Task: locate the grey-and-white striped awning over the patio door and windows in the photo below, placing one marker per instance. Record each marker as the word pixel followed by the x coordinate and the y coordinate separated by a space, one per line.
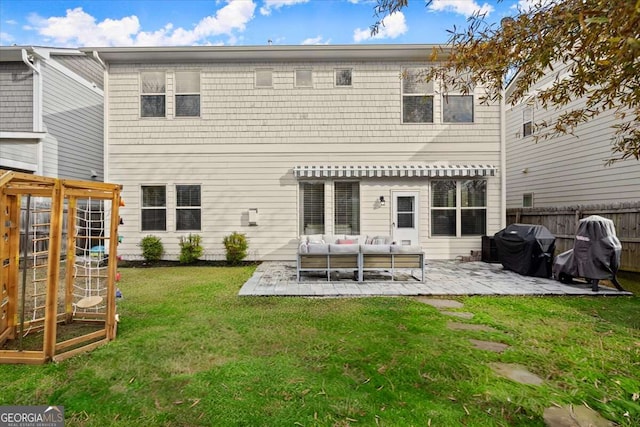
pixel 392 170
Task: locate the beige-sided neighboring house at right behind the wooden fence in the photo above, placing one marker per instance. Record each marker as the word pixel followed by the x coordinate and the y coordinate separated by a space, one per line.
pixel 567 170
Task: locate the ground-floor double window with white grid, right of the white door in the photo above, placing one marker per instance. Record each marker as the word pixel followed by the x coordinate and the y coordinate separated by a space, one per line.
pixel 458 208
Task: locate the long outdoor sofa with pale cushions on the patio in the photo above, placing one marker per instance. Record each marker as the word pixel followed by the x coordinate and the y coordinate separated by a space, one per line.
pixel 356 254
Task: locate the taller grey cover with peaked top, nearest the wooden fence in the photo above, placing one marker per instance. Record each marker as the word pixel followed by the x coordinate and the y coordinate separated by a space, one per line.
pixel 595 254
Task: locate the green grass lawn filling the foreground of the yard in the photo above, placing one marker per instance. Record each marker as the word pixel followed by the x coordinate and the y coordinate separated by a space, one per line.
pixel 191 352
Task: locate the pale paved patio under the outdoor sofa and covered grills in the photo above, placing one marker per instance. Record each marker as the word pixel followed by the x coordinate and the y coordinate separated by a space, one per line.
pixel 441 278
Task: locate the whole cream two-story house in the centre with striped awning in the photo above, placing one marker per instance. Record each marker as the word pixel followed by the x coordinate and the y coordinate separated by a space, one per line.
pixel 280 141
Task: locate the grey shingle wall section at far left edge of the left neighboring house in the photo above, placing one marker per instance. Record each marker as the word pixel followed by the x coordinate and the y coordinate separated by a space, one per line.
pixel 16 97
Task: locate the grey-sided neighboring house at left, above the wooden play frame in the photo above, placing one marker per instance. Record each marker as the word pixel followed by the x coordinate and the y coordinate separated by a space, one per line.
pixel 51 112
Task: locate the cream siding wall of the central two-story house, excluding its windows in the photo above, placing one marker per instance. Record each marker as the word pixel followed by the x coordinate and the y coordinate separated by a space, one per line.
pixel 243 148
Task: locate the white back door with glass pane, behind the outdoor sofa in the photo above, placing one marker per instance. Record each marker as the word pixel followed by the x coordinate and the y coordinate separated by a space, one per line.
pixel 405 226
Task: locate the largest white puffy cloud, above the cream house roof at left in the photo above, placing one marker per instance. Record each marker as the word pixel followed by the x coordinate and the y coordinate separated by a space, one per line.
pixel 78 28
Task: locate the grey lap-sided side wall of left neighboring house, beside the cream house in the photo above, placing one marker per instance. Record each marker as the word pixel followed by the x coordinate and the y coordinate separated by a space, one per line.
pixel 73 116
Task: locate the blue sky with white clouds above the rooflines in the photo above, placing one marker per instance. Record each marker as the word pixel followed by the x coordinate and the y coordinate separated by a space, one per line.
pixel 231 22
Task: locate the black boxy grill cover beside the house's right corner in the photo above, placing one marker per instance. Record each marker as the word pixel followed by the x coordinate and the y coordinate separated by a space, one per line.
pixel 526 249
